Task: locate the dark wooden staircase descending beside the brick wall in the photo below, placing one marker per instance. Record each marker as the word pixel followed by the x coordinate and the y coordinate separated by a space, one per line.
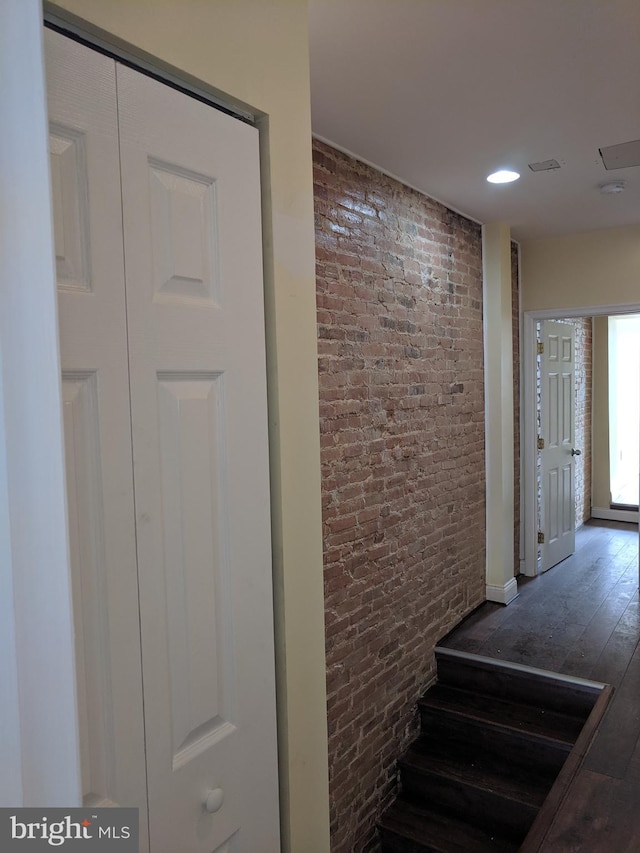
pixel 496 740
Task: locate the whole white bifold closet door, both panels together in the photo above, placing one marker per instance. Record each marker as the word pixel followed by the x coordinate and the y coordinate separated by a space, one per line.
pixel 166 452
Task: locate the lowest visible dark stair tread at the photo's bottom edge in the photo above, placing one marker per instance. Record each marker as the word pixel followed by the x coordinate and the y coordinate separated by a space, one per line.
pixel 433 831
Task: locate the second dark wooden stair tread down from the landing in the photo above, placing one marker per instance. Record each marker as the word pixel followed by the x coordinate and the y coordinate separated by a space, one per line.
pixel 478 768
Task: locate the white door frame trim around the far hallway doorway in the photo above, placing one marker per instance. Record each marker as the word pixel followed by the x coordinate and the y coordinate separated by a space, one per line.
pixel 529 567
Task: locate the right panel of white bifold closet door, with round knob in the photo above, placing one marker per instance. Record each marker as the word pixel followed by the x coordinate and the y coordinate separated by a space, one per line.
pixel 191 203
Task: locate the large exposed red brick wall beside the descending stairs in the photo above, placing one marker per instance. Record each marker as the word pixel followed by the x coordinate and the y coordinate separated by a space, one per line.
pixel 399 290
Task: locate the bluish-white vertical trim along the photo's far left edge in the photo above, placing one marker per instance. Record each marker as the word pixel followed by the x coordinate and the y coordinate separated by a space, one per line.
pixel 40 739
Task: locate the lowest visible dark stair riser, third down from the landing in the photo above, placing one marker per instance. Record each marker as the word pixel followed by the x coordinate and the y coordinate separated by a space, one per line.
pixel 481 807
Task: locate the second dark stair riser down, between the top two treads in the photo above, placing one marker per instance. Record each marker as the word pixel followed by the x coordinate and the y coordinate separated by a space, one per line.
pixel 530 750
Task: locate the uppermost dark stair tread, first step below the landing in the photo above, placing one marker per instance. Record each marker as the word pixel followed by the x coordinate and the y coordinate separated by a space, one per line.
pixel 505 713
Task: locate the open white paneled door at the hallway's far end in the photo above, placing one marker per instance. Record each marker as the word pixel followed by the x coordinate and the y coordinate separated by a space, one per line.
pixel 558 431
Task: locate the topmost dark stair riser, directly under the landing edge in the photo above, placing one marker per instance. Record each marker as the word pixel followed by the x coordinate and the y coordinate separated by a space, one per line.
pixel 518 687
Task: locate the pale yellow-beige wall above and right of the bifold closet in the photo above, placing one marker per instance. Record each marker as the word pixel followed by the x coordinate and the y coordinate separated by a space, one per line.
pixel 256 52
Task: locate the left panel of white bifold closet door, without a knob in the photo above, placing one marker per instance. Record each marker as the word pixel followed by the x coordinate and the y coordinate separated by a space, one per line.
pixel 87 208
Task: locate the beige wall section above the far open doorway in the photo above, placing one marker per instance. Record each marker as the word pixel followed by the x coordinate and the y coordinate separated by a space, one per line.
pixel 582 270
